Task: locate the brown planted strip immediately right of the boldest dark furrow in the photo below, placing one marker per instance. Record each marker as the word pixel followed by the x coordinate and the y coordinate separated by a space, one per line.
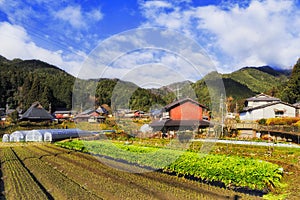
pixel 59 185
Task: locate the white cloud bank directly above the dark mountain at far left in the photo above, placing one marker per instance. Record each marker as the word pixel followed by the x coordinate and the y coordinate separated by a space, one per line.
pixel 15 43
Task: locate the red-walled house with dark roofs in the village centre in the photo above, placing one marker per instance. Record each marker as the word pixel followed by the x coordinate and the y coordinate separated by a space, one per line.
pixel 184 114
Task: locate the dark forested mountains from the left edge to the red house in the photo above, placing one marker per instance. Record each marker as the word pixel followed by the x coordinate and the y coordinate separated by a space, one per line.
pixel 24 82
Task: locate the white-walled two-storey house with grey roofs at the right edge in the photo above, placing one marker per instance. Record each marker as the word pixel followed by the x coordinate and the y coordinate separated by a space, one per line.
pixel 263 106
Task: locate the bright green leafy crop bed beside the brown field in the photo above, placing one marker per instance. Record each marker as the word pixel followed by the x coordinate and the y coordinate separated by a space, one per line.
pixel 232 171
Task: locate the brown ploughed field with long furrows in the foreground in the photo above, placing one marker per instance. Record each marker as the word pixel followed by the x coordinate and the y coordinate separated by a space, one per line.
pixel 46 171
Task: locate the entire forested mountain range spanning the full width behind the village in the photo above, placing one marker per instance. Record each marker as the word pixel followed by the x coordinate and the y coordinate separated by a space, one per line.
pixel 26 81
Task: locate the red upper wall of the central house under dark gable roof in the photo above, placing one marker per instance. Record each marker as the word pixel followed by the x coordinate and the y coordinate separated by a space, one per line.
pixel 186 111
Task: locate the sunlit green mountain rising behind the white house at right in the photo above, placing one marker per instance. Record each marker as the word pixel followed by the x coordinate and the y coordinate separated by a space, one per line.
pixel 242 84
